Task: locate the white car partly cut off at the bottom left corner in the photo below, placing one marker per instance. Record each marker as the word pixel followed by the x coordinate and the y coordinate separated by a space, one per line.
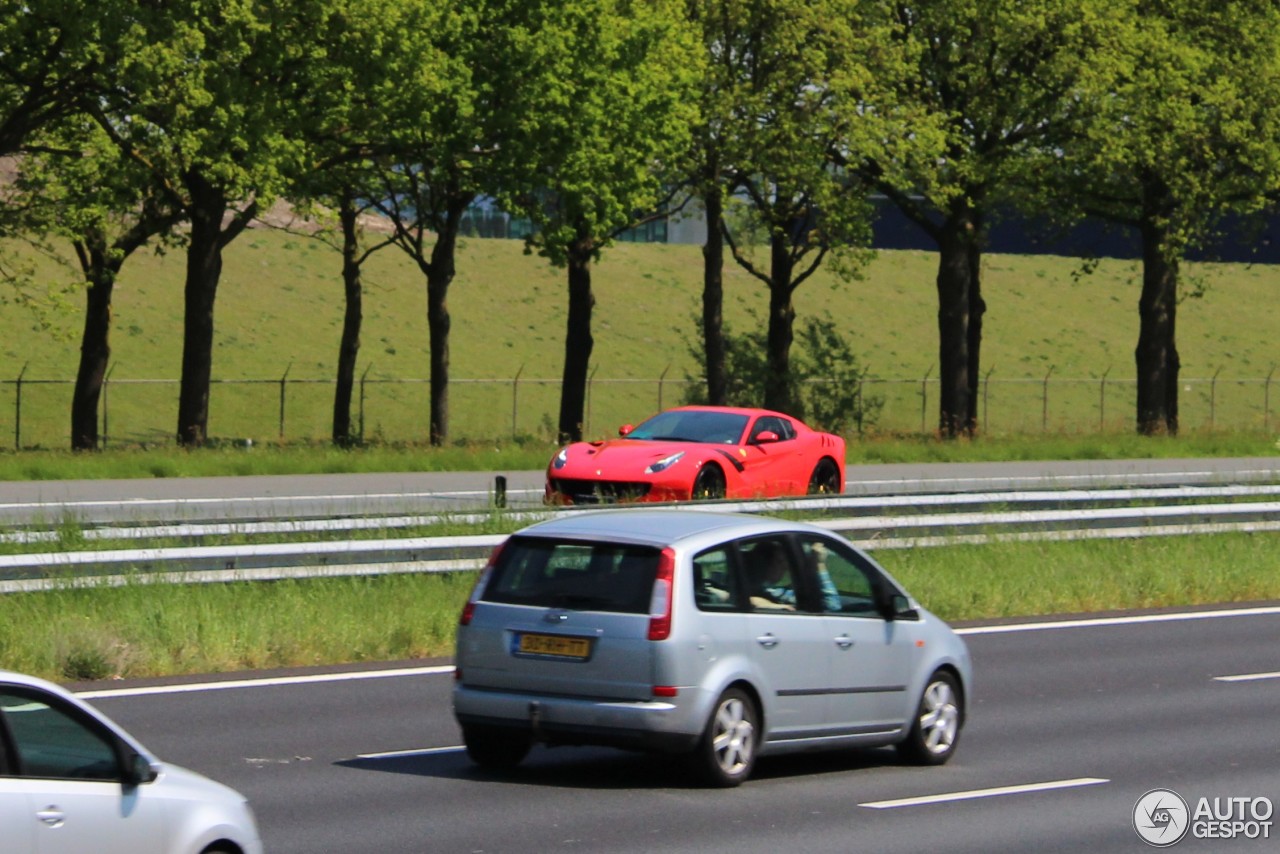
pixel 75 783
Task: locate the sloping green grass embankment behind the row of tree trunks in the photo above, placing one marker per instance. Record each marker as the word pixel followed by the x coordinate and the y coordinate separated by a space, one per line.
pixel 280 313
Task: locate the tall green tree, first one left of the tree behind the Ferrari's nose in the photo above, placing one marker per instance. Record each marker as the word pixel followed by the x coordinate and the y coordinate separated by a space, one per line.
pixel 438 135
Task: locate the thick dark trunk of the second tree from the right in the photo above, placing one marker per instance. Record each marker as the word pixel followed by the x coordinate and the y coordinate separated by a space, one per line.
pixel 954 363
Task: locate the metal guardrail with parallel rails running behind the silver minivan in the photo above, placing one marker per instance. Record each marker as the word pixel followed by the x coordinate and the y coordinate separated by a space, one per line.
pixel 968 519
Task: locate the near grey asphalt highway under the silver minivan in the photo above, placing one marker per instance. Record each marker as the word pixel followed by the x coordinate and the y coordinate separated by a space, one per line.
pixel 1072 725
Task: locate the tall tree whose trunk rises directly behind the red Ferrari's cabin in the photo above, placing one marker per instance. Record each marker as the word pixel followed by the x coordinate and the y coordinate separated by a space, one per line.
pixel 802 71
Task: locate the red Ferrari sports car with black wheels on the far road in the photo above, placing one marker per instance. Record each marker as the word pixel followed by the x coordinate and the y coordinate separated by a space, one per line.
pixel 701 453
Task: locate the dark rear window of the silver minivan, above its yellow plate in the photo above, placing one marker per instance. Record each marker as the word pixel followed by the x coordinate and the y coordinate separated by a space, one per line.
pixel 574 574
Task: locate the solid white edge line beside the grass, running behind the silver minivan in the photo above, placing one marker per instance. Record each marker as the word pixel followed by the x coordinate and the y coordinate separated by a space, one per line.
pixel 449 669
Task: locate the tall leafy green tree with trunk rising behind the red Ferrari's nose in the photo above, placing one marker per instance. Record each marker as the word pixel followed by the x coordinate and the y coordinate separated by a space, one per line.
pixel 607 101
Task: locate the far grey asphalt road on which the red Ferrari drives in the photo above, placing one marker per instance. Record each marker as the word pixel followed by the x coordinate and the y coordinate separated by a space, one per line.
pixel 326 496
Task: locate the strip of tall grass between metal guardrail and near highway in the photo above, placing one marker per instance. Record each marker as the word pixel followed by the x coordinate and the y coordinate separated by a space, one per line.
pixel 156 629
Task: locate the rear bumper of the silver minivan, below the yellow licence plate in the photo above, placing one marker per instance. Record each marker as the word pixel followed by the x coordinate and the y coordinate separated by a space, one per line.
pixel 652 725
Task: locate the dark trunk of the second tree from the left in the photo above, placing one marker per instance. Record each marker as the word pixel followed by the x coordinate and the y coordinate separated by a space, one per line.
pixel 204 271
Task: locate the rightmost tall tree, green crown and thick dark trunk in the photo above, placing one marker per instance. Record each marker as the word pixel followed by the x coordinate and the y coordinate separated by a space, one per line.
pixel 1186 131
